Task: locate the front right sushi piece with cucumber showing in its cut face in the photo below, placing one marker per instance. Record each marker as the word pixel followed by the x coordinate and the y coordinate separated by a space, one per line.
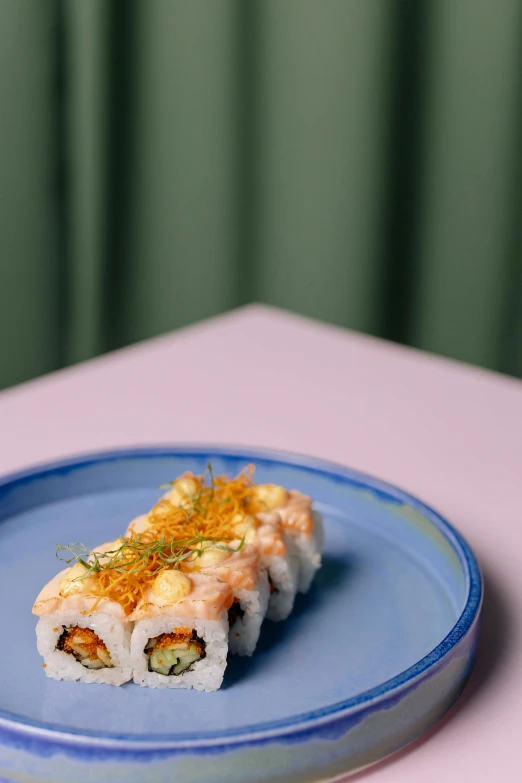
pixel 180 636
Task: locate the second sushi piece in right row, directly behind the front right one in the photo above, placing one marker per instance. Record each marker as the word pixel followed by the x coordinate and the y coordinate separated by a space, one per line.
pixel 241 570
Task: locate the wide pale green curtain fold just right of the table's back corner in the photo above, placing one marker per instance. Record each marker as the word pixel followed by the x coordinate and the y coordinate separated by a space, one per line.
pixel 321 119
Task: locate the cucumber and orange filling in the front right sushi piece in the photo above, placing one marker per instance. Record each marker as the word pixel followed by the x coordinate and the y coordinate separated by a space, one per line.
pixel 174 653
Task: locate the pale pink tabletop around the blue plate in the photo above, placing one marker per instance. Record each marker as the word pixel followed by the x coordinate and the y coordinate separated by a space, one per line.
pixel 450 433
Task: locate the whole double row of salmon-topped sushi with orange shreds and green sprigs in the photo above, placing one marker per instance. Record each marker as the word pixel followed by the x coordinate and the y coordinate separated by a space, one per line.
pixel 190 581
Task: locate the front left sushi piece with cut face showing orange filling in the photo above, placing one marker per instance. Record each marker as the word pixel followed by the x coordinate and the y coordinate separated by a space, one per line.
pixel 80 636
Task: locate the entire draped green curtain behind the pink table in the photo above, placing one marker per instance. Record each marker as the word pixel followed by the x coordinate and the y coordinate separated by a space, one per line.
pixel 161 161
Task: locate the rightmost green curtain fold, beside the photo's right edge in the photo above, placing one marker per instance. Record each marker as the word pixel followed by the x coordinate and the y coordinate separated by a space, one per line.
pixel 469 197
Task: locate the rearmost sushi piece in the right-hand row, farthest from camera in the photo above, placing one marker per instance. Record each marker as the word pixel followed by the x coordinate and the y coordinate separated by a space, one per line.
pixel 302 526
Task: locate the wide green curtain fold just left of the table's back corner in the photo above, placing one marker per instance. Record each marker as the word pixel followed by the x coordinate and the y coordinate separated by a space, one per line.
pixel 182 206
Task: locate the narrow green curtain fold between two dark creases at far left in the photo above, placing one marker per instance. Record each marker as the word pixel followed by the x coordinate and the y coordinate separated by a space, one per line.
pixel 87 60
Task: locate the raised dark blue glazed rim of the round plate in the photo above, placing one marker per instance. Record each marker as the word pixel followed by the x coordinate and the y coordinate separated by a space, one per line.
pixel 20 727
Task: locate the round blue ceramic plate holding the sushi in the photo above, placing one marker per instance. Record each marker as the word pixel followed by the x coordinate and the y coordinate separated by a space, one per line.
pixel 378 650
